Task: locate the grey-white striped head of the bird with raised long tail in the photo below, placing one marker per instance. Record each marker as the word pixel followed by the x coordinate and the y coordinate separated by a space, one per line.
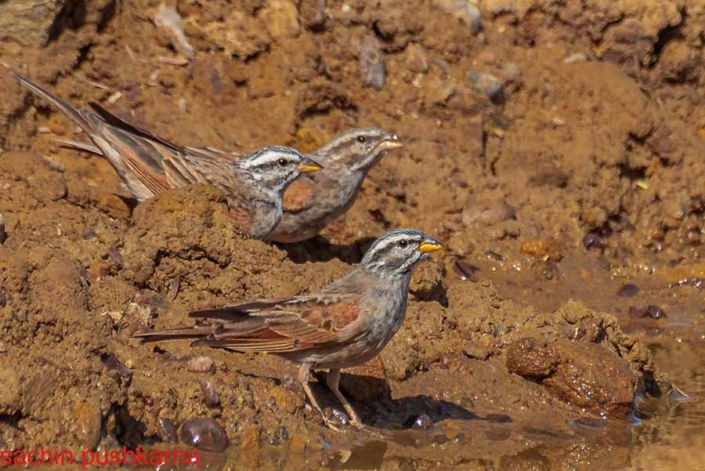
pixel 273 168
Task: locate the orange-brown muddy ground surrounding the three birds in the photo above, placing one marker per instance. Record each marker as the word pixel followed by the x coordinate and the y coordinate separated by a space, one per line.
pixel 583 174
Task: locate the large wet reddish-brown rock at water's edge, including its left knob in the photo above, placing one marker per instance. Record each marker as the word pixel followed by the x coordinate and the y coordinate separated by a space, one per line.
pixel 583 374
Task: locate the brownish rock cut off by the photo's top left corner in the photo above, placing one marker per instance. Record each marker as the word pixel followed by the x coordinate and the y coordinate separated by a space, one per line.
pixel 30 22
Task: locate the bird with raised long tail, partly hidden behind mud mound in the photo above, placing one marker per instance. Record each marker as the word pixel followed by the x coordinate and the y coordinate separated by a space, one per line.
pixel 149 165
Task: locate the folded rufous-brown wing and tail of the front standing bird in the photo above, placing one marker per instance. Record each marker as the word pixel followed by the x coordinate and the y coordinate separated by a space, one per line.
pixel 274 326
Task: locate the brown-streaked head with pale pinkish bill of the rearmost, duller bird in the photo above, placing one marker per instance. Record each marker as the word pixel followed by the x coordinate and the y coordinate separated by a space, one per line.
pixel 357 149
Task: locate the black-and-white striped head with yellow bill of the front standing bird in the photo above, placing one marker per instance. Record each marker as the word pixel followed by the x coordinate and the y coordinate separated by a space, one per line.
pixel 398 252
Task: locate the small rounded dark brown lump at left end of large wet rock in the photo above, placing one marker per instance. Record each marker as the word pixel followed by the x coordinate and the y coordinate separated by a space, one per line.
pixel 531 358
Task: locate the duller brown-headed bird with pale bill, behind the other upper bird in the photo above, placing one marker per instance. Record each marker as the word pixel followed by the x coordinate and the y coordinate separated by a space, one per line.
pixel 314 201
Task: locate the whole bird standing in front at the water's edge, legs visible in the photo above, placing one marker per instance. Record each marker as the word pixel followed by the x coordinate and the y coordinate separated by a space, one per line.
pixel 345 324
